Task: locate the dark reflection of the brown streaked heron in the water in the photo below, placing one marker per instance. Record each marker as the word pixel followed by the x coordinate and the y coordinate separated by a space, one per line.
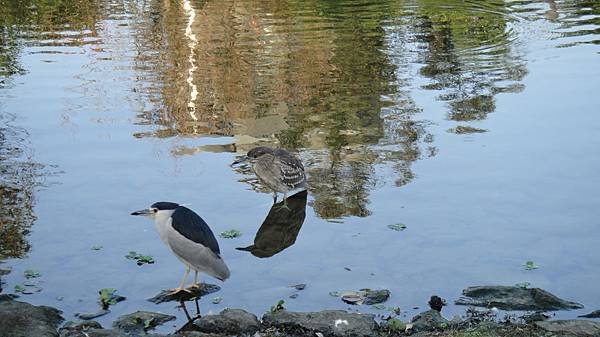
pixel 280 228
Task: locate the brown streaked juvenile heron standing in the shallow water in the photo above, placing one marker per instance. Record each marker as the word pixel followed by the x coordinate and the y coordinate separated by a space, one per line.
pixel 278 169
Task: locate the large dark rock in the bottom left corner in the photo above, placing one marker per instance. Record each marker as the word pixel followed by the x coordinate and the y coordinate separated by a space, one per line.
pixel 19 319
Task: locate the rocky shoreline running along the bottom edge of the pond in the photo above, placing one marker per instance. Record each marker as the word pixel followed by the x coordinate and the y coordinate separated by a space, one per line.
pixel 21 319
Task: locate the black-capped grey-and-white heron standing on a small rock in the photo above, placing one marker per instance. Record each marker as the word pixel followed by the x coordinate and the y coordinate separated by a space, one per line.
pixel 190 239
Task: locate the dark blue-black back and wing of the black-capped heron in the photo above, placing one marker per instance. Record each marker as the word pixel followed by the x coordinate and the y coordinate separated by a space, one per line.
pixel 191 225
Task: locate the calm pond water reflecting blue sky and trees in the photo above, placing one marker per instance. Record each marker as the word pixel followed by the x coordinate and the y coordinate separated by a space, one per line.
pixel 108 106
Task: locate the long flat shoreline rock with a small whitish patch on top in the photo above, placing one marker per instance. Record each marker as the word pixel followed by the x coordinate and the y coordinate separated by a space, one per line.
pixel 327 322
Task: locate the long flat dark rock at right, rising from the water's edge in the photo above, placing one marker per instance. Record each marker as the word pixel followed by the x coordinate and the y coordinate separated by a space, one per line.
pixel 514 298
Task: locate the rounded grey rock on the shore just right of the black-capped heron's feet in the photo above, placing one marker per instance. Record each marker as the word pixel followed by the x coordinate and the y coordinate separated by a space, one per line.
pixel 231 322
